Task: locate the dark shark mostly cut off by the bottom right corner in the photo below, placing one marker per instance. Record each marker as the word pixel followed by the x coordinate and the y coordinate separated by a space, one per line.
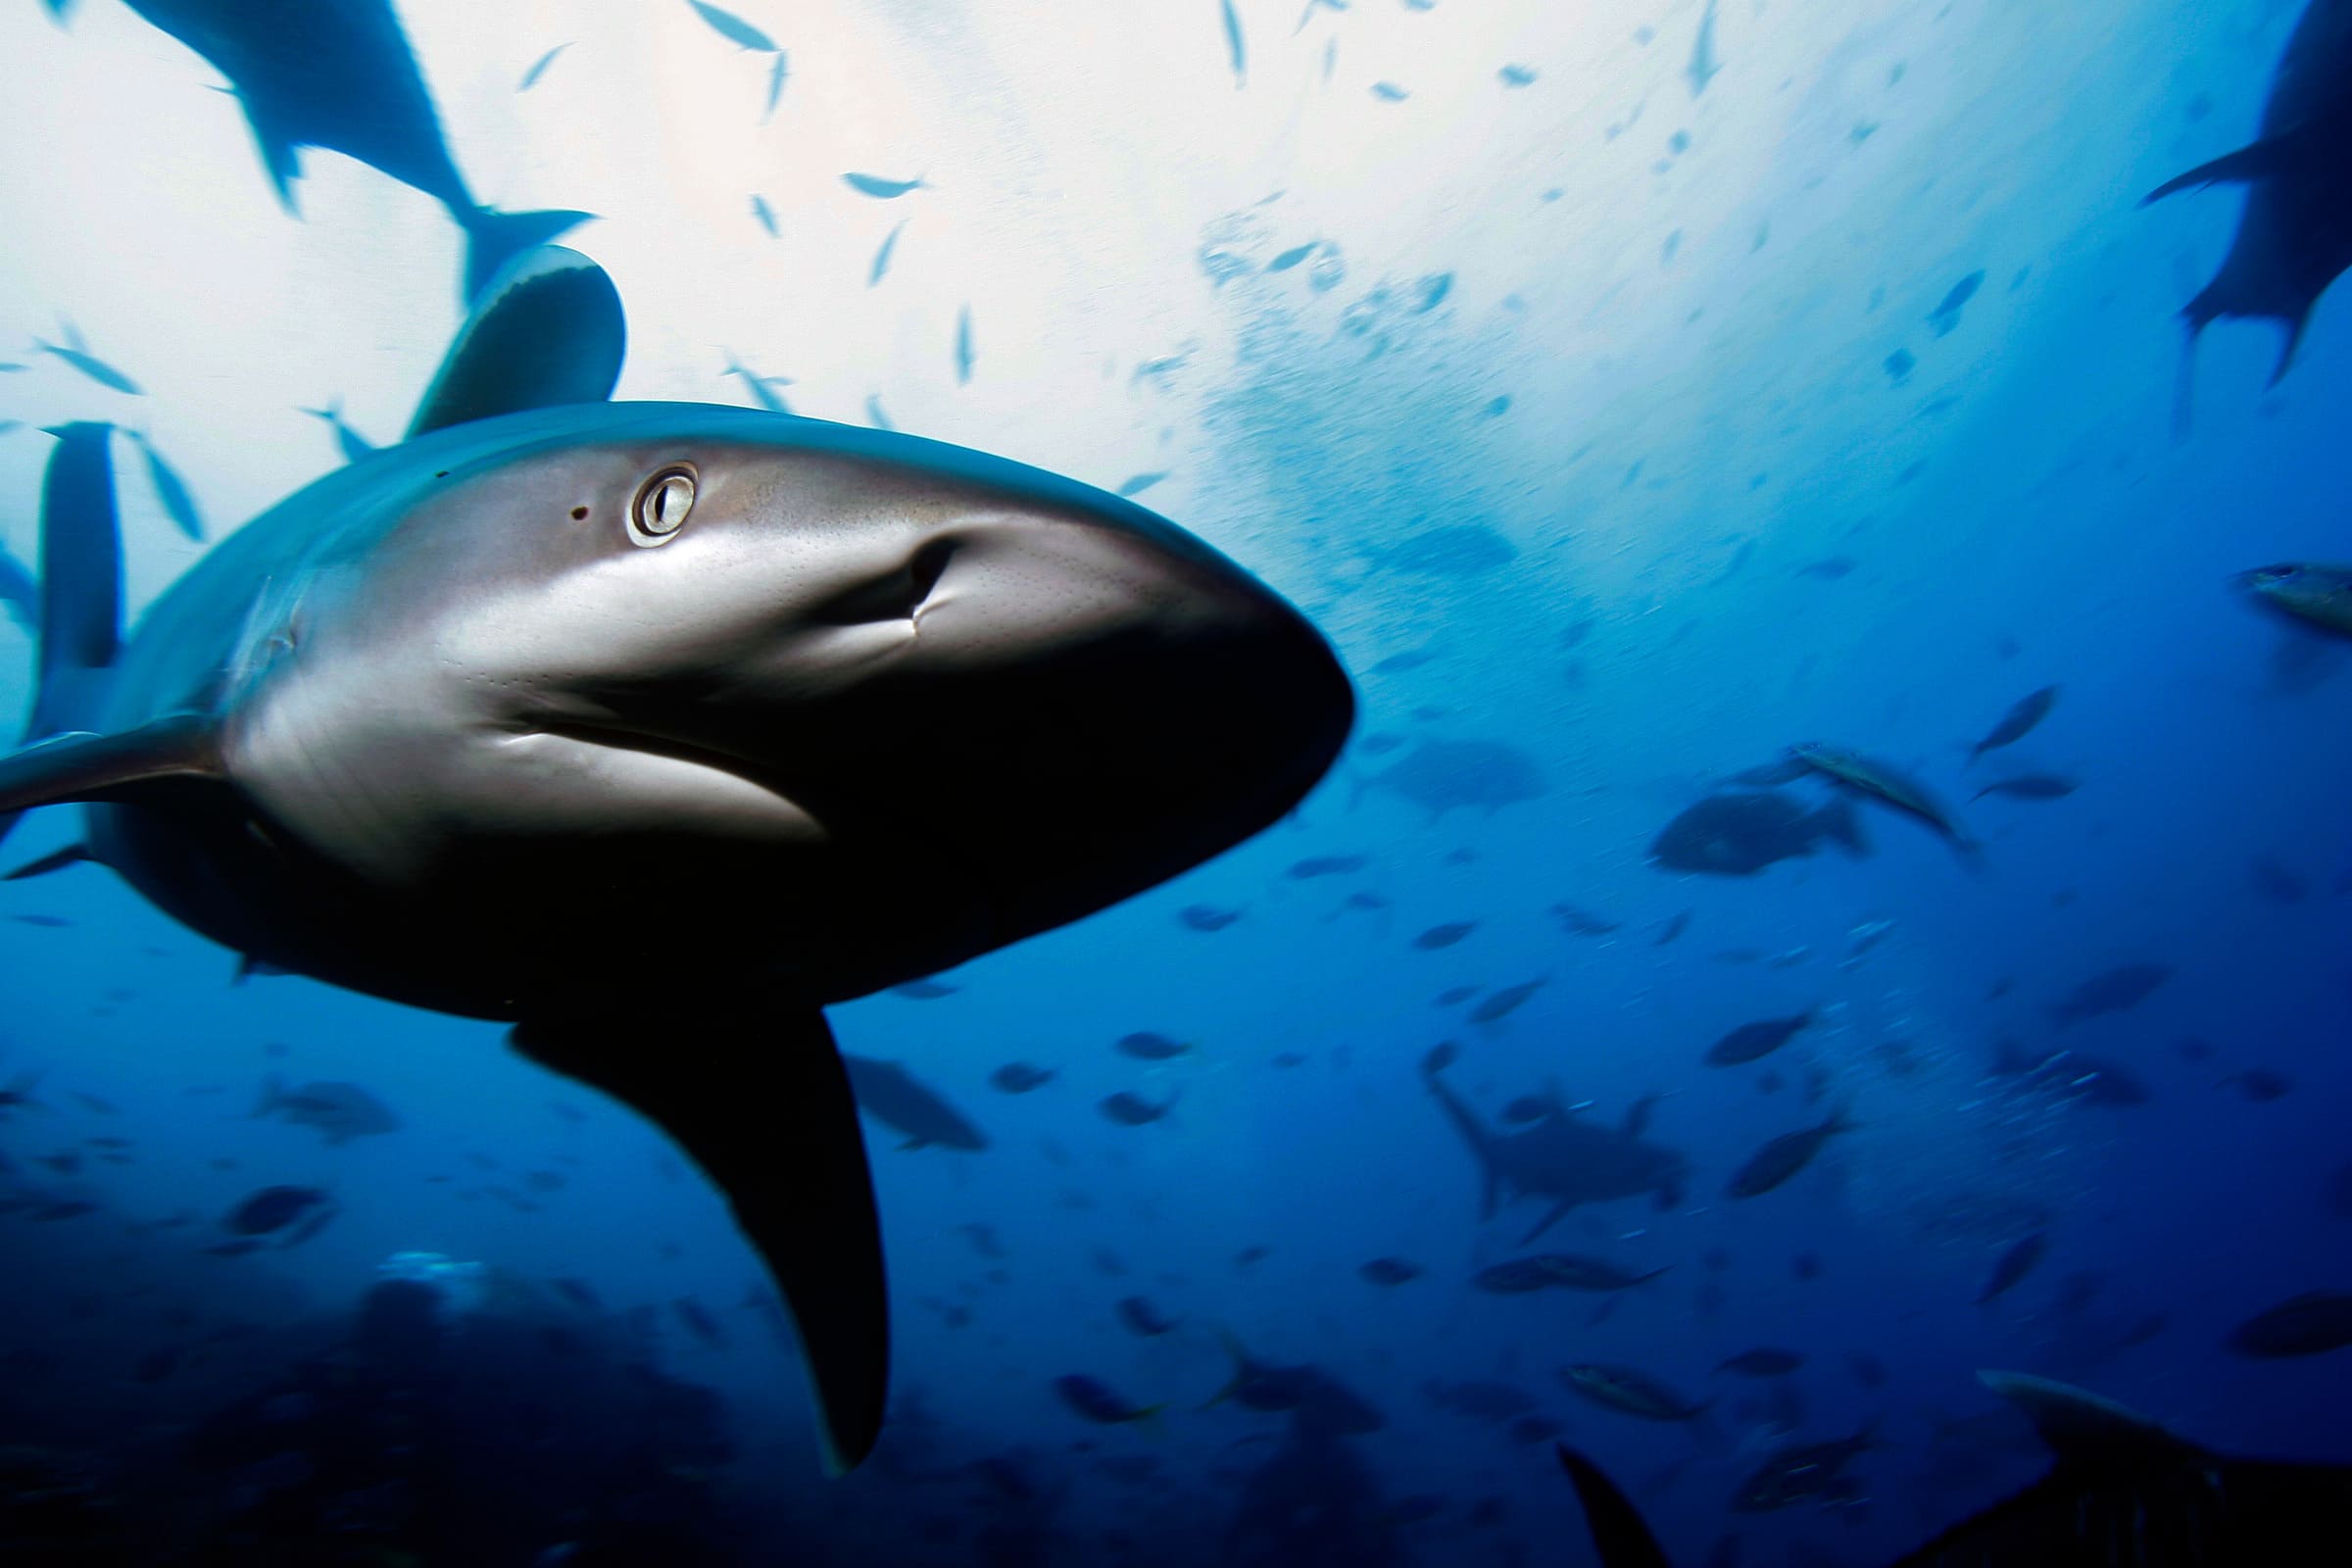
pixel 2123 1494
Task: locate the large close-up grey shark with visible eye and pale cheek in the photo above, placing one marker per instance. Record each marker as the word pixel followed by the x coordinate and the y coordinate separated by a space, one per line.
pixel 655 728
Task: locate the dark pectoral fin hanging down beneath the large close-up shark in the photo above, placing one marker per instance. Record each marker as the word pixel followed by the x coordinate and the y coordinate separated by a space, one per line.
pixel 789 1158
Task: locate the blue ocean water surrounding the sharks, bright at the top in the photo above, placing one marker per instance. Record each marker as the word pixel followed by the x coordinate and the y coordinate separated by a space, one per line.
pixel 1629 394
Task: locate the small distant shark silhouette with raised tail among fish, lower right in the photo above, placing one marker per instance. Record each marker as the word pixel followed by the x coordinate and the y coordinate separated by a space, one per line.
pixel 1565 1158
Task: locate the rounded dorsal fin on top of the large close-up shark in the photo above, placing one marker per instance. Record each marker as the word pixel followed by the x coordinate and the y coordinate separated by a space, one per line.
pixel 544 333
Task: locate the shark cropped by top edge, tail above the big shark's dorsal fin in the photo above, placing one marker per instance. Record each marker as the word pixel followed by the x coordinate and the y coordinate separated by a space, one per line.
pixel 342 76
